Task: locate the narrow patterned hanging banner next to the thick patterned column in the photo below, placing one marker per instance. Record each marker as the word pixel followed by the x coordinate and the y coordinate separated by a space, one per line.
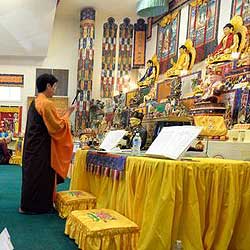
pixel 108 58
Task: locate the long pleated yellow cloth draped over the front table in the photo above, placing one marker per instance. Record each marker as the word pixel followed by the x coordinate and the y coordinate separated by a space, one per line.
pixel 203 202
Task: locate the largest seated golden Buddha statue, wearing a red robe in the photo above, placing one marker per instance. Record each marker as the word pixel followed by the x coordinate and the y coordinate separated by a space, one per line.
pixel 233 42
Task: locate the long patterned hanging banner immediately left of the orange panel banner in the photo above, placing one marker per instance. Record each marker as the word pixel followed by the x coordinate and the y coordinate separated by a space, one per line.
pixel 125 54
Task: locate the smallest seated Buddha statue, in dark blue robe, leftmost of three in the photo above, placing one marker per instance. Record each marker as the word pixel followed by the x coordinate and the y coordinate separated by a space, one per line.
pixel 151 74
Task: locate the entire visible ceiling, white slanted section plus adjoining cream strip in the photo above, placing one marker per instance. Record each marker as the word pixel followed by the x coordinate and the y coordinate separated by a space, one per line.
pixel 26 25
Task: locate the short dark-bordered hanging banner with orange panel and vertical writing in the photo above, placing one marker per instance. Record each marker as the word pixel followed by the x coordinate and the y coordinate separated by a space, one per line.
pixel 139 43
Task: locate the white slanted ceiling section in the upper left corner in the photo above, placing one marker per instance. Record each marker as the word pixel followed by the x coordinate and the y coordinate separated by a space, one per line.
pixel 25 27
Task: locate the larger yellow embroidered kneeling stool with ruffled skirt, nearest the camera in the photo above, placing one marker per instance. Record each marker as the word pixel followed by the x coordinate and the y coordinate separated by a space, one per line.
pixel 103 229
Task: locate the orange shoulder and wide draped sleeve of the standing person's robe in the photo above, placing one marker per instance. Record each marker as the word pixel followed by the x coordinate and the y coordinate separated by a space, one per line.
pixel 59 130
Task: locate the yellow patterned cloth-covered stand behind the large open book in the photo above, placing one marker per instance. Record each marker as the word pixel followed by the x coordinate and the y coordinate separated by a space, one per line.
pixel 211 125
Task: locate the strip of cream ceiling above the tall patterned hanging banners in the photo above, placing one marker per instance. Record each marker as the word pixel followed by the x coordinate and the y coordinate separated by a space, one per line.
pixel 109 7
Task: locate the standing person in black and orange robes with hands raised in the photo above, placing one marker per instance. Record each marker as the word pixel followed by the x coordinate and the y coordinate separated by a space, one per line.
pixel 47 149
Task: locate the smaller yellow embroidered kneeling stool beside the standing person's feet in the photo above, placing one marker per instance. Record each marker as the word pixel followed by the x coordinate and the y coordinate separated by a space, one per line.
pixel 68 201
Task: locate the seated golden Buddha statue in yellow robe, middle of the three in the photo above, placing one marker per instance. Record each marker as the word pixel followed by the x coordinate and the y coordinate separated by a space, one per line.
pixel 185 61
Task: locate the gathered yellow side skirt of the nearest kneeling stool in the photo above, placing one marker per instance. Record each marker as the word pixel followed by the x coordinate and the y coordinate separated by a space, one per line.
pixel 125 238
